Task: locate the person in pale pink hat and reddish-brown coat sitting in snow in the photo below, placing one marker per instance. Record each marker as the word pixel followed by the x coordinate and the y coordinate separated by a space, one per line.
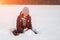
pixel 23 22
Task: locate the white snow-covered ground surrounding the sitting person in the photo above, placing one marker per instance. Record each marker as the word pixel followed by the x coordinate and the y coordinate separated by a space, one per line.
pixel 45 20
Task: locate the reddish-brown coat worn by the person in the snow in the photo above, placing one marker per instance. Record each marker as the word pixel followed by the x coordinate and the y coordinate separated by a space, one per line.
pixel 20 26
